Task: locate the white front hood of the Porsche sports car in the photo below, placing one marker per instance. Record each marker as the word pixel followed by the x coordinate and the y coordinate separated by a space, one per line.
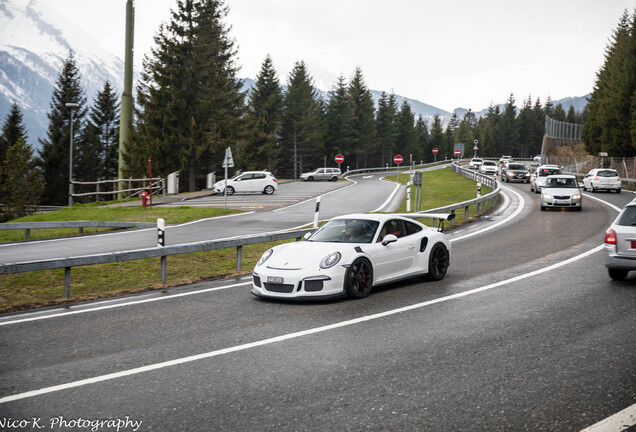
pixel 303 254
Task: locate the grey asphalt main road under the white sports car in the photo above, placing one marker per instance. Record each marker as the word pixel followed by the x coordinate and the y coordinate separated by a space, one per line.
pixel 526 333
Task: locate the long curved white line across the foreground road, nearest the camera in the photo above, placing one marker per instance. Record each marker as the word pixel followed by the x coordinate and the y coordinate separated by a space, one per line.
pixel 286 337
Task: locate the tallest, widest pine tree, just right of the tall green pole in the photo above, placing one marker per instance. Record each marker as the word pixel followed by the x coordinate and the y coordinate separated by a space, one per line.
pixel 189 100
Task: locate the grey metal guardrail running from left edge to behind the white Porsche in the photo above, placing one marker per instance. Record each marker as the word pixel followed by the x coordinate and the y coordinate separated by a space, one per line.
pixel 162 252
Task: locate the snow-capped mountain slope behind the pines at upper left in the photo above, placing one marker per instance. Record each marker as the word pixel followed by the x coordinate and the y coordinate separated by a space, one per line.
pixel 34 42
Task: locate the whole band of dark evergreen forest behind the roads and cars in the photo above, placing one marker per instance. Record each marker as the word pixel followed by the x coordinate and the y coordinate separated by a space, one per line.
pixel 189 108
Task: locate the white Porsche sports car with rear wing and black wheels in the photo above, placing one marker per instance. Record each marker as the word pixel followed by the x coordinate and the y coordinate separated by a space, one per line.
pixel 350 254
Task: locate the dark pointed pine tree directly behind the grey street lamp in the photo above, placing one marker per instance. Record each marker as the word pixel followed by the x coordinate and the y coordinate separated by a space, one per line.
pixel 54 152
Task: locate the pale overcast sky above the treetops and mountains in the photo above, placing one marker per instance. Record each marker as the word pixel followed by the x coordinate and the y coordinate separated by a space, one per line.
pixel 461 53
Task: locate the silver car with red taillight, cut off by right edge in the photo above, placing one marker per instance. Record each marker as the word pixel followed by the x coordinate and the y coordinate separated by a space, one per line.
pixel 620 243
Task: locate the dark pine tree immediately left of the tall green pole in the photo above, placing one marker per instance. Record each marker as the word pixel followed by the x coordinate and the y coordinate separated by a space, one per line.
pixel 98 157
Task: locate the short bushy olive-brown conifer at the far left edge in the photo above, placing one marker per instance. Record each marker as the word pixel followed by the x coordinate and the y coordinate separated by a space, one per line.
pixel 23 183
